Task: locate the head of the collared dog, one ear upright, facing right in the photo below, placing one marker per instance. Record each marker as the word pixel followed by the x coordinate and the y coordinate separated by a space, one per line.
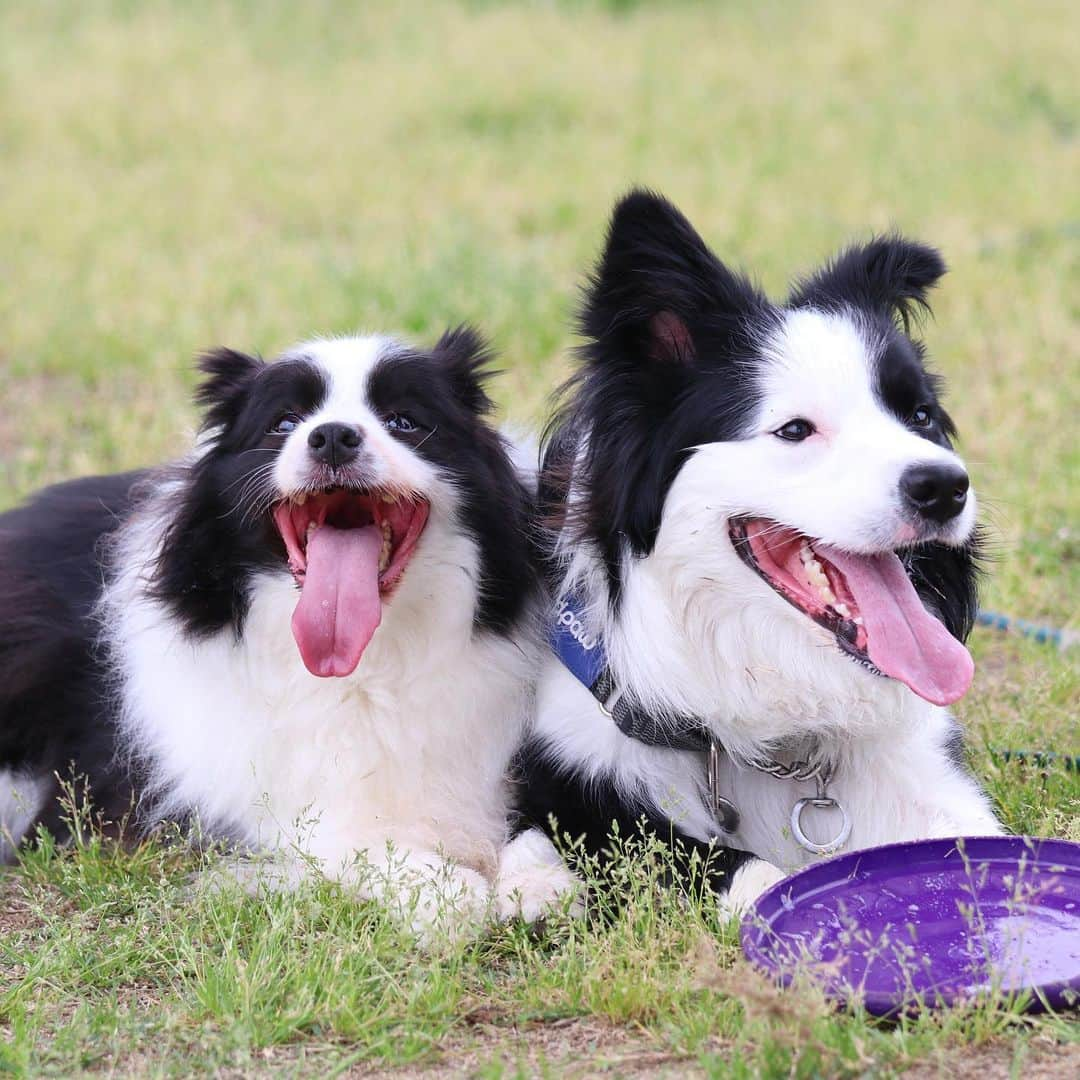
pixel 793 457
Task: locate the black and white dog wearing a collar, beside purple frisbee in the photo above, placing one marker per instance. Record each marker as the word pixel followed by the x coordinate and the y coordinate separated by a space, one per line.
pixel 764 561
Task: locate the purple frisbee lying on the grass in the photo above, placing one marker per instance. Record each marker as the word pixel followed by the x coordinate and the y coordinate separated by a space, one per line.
pixel 929 924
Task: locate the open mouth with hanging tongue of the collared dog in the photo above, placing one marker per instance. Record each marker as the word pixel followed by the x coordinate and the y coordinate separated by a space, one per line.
pixel 867 602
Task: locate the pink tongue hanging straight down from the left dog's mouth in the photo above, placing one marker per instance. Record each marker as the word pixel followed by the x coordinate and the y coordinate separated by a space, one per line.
pixel 340 606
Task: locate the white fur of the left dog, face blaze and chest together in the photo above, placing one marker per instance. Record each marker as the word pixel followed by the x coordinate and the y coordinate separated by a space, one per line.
pixel 397 769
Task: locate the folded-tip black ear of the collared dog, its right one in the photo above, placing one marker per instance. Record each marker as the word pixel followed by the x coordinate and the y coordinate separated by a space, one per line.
pixel 889 274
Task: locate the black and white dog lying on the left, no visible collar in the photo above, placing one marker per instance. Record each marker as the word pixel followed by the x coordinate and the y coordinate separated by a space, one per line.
pixel 314 636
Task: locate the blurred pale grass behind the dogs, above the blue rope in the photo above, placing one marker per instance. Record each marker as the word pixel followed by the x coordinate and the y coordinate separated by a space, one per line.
pixel 177 177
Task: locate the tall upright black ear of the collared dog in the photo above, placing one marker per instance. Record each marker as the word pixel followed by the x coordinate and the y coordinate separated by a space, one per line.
pixel 658 292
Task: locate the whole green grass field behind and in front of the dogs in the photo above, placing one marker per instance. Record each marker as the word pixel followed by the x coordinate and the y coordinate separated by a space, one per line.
pixel 180 177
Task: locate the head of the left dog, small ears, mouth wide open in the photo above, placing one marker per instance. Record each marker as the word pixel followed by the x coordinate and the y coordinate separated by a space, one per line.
pixel 352 464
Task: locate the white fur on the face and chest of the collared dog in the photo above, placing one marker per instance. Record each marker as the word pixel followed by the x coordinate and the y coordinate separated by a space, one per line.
pixel 699 633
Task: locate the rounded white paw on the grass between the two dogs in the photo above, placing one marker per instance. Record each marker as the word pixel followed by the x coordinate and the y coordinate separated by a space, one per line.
pixel 535 882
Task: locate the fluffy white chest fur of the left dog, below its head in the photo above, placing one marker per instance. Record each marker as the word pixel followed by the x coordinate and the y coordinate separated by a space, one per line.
pixel 411 751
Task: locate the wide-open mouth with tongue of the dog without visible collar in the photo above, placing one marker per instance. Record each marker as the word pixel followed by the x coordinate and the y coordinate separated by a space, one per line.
pixel 347 550
